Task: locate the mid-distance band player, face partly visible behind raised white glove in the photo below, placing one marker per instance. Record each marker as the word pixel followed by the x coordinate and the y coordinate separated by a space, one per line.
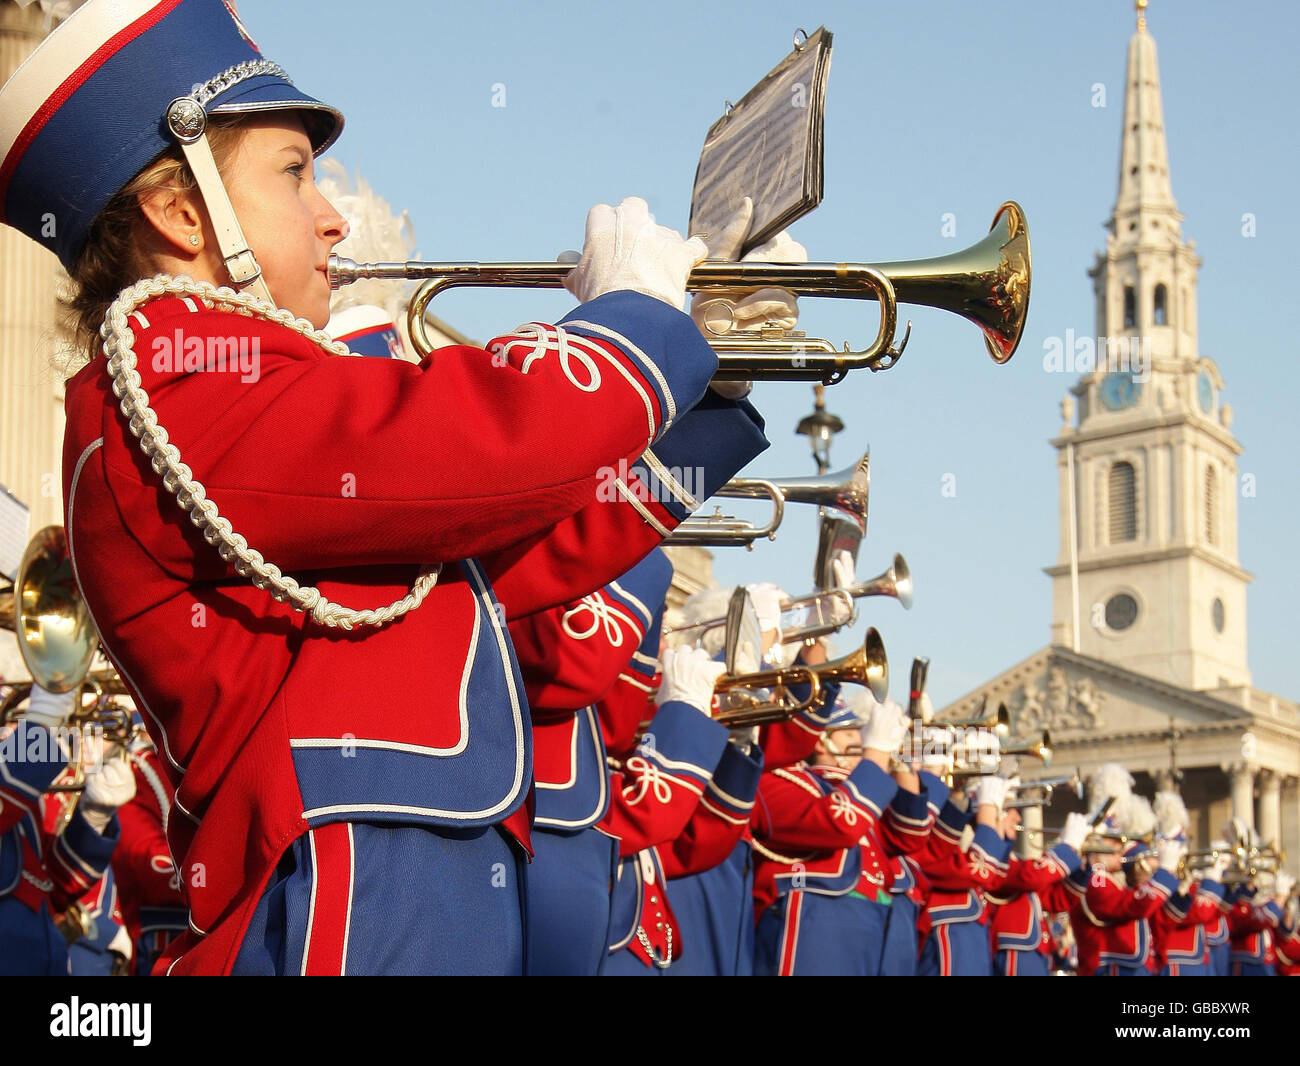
pixel 813 913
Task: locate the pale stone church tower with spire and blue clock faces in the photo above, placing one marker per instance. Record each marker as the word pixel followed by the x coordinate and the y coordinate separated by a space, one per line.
pixel 1149 575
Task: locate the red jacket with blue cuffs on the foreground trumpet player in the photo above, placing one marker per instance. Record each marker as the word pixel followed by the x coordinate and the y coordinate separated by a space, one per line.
pixel 513 471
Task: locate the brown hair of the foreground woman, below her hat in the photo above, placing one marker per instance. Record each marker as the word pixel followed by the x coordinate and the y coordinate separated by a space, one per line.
pixel 112 258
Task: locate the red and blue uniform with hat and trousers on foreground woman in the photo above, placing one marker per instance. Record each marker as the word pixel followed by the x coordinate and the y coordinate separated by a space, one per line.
pixel 331 769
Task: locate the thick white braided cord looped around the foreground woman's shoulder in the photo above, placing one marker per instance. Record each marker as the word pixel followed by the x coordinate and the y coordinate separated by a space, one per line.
pixel 177 478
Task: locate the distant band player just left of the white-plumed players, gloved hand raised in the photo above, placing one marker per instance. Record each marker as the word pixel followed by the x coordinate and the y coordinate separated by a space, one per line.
pixel 1022 942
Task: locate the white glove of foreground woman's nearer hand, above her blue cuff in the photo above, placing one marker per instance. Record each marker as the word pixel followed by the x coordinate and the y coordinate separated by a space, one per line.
pixel 625 249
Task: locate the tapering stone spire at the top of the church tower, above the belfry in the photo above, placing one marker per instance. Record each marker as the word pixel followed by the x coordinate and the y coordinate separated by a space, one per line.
pixel 1145 187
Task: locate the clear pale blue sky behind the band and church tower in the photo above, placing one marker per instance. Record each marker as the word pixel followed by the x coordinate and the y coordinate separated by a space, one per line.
pixel 933 109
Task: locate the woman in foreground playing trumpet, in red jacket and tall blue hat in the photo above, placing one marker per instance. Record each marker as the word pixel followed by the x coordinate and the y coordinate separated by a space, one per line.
pixel 300 562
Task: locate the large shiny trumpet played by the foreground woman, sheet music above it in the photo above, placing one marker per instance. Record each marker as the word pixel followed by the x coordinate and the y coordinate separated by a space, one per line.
pixel 987 284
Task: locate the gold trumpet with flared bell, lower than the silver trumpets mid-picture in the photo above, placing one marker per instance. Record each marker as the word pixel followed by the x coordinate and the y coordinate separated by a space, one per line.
pixel 868 666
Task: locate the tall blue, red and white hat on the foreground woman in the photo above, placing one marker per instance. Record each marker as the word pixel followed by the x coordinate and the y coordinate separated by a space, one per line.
pixel 89 110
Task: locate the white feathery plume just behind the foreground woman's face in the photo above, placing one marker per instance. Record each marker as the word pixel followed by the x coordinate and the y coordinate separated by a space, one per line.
pixel 378 235
